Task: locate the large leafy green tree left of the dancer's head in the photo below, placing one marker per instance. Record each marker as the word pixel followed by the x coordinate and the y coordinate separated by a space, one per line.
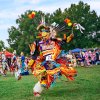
pixel 19 38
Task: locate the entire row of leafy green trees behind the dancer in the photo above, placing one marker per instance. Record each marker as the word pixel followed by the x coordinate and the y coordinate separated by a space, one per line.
pixel 26 32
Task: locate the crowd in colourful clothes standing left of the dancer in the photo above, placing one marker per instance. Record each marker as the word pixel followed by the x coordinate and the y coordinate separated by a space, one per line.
pixel 13 64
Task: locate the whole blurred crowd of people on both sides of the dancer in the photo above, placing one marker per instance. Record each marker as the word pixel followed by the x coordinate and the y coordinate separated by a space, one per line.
pixel 20 63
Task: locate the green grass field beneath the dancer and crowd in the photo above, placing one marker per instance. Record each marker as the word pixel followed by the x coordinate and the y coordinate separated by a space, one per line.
pixel 85 87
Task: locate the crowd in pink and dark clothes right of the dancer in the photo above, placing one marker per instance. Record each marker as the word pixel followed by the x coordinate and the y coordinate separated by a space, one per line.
pixel 87 58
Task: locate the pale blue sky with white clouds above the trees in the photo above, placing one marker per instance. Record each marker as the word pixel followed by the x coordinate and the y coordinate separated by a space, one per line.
pixel 11 9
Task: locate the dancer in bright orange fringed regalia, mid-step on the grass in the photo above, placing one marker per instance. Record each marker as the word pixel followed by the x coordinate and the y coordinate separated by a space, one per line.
pixel 47 65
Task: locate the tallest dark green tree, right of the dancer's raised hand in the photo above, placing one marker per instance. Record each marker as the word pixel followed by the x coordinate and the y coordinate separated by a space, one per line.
pixel 82 14
